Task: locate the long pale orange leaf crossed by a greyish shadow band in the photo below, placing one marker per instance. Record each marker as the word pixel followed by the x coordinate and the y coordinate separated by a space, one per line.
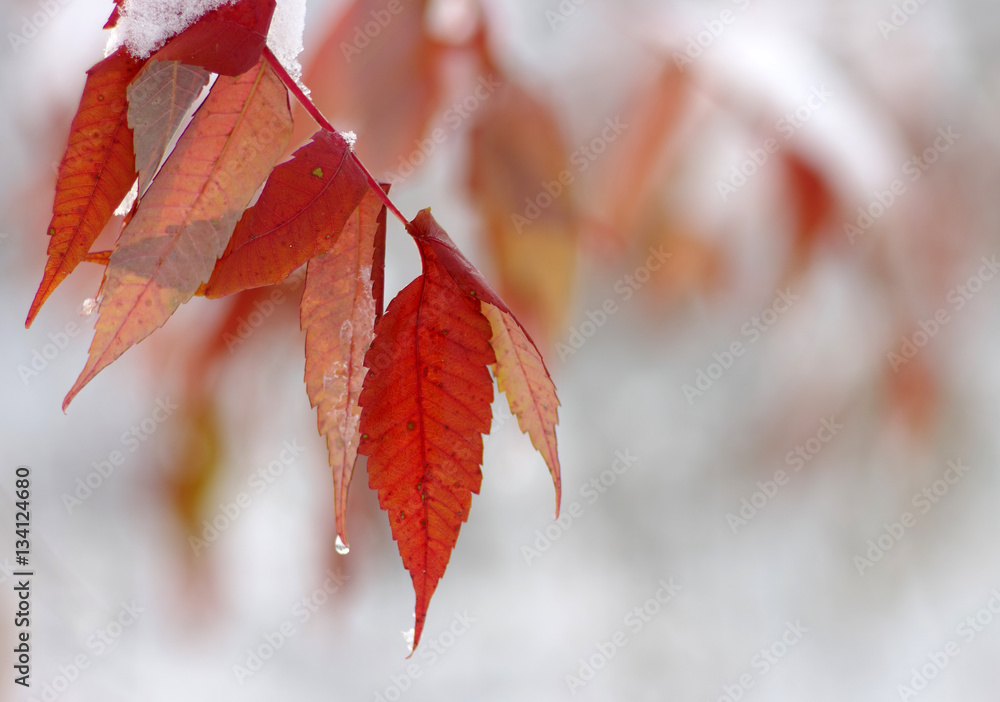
pixel 186 217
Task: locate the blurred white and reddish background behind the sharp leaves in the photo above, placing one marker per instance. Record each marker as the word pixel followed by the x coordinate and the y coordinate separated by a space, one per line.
pixel 758 240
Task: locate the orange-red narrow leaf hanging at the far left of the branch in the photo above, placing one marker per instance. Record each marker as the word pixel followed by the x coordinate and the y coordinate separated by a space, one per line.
pixel 96 172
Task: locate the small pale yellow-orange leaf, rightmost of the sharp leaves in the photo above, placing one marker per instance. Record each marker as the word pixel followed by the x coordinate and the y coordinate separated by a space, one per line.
pixel 522 377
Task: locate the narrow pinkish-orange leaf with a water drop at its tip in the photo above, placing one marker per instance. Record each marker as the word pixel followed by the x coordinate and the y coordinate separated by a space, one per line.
pixel 338 315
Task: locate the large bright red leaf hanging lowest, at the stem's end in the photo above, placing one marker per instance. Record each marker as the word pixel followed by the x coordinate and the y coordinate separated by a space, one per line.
pixel 425 405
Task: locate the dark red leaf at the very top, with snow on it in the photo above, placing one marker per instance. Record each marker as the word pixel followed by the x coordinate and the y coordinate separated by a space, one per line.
pixel 228 40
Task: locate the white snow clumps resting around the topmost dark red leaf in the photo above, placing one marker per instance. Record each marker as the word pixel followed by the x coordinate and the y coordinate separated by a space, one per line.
pixel 146 25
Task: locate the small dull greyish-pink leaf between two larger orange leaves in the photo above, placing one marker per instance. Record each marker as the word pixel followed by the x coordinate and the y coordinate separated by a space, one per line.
pixel 158 99
